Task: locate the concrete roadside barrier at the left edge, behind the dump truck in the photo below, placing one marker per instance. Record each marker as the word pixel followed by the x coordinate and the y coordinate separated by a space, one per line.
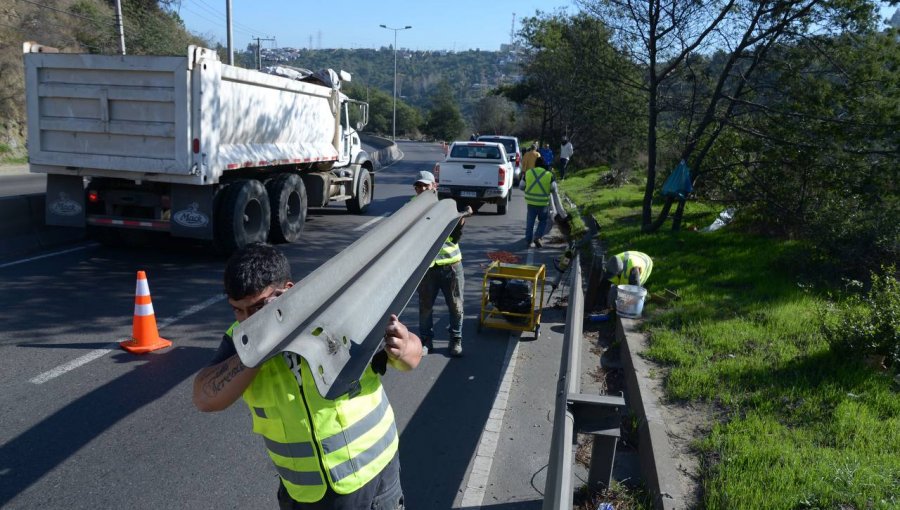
pixel 22 228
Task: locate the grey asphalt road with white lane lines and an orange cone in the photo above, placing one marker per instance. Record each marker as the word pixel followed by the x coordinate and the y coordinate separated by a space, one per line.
pixel 88 425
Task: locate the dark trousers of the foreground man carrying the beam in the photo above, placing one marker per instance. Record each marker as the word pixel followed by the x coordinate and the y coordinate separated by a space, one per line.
pixel 382 493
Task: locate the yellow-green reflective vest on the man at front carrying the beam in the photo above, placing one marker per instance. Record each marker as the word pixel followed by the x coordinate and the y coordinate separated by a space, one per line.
pixel 310 439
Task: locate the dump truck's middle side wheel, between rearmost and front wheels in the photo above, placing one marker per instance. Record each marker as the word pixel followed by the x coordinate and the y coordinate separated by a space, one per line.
pixel 287 197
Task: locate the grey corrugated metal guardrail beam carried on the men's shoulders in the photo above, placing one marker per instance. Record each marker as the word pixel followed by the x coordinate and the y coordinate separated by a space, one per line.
pixel 335 317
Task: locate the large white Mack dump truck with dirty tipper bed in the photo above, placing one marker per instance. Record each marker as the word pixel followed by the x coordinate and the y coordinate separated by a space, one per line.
pixel 191 146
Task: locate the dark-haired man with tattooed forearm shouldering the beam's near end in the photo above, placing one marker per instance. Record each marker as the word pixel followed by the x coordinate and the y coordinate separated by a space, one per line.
pixel 329 454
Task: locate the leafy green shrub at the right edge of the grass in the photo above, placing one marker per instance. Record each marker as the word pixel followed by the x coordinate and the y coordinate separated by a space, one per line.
pixel 868 322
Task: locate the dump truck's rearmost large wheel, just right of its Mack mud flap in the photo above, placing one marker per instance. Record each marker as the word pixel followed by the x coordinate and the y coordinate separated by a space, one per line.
pixel 244 215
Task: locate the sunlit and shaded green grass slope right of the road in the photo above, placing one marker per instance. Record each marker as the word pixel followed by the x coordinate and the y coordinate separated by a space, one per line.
pixel 798 425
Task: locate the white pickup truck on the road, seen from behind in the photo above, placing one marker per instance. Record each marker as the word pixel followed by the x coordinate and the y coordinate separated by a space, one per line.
pixel 476 173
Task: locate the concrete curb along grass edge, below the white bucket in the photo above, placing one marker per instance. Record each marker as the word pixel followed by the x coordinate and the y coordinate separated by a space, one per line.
pixel 658 466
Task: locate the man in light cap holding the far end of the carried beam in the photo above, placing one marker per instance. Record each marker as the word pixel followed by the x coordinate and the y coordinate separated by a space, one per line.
pixel 444 275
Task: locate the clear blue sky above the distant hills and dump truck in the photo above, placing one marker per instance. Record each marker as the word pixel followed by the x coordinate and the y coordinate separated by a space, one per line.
pixel 457 25
